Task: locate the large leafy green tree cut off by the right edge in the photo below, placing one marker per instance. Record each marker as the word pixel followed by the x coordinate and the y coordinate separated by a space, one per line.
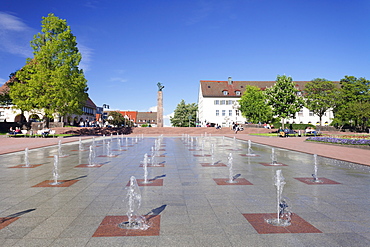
pixel 353 105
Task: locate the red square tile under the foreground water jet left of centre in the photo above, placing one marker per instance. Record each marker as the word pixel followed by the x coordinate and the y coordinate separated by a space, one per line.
pixel 109 227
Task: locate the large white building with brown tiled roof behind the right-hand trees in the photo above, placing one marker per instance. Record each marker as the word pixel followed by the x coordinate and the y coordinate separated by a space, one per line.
pixel 218 103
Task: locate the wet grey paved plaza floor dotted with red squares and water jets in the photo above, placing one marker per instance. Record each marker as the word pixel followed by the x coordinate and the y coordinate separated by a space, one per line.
pixel 190 201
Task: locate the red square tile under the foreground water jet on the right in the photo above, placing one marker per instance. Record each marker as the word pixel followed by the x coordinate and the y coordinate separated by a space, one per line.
pixel 298 225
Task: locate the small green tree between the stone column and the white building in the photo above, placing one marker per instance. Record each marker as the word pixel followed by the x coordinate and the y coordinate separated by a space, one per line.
pixel 184 115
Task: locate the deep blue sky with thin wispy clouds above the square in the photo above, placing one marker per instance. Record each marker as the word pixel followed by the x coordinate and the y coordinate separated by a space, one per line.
pixel 130 46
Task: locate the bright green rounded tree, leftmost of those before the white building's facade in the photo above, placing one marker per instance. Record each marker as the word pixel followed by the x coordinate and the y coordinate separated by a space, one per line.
pixel 253 105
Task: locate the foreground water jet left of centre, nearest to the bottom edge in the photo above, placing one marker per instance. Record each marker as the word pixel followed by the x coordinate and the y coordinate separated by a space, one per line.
pixel 133 200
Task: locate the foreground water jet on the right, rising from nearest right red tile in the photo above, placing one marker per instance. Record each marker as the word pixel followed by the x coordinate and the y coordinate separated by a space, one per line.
pixel 283 214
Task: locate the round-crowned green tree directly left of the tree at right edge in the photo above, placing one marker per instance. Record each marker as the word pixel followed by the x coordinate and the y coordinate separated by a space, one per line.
pixel 320 95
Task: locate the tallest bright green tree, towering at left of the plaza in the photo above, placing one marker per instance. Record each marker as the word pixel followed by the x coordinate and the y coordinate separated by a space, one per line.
pixel 51 82
